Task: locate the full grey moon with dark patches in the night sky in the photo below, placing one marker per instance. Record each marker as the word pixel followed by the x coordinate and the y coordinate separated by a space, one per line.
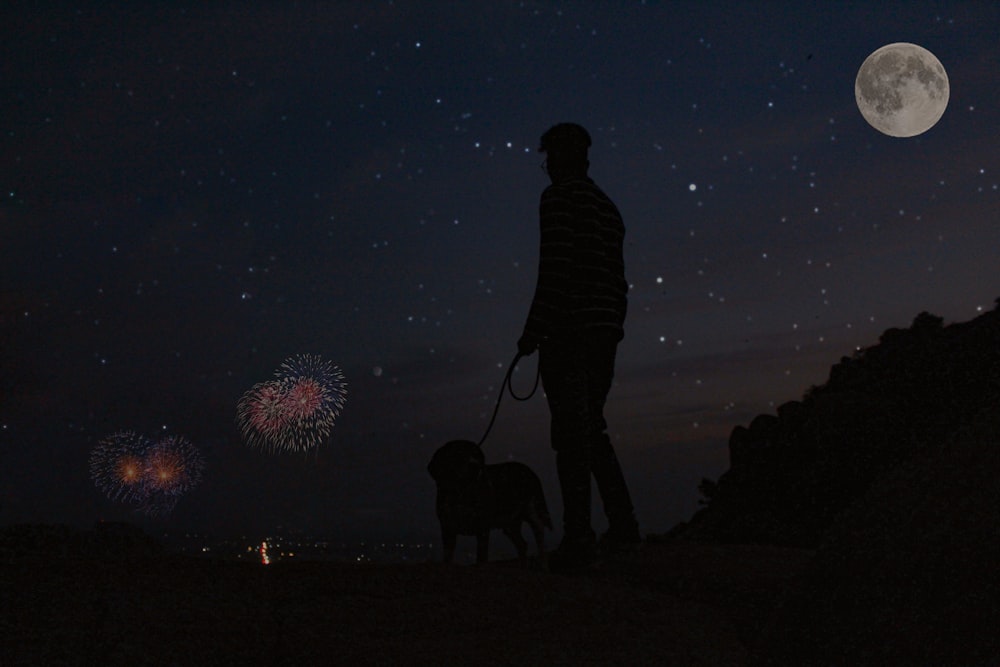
pixel 901 89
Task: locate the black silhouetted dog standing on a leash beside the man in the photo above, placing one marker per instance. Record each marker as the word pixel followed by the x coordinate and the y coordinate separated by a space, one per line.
pixel 473 498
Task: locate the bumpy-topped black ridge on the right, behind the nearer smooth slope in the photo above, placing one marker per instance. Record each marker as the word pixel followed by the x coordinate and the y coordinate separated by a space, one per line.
pixel 792 474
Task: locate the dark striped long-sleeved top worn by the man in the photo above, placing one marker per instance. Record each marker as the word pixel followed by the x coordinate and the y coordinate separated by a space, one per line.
pixel 581 272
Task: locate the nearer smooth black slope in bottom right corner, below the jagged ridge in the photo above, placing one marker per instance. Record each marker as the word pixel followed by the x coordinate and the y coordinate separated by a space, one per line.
pixel 908 574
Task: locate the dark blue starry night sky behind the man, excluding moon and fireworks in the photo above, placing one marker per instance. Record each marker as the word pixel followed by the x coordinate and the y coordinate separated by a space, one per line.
pixel 192 195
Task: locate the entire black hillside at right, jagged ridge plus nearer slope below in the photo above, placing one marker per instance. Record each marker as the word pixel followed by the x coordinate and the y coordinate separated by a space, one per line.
pixel 891 470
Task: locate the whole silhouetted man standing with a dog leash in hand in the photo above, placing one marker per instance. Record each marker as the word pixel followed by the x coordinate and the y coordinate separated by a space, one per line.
pixel 575 322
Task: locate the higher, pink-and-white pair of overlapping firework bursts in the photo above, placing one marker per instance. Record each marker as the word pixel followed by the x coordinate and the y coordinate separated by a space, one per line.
pixel 296 411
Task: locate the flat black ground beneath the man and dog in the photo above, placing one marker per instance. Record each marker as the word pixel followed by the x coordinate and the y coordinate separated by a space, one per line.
pixel 675 604
